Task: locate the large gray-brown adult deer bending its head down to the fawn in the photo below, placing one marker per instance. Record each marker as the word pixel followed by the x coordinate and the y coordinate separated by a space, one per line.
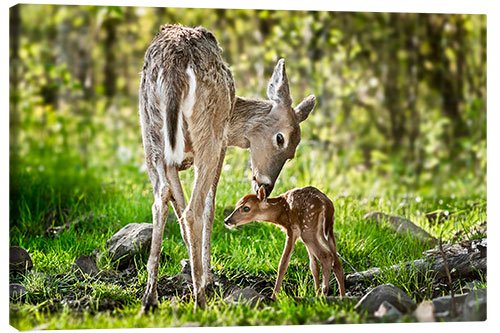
pixel 189 115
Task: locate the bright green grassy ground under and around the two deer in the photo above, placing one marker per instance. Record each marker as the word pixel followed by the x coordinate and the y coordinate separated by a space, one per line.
pixel 57 193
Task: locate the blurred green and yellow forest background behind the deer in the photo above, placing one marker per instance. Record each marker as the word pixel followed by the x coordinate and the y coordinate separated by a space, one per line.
pixel 401 97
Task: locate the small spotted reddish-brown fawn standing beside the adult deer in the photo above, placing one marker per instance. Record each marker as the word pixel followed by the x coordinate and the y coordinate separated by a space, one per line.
pixel 304 213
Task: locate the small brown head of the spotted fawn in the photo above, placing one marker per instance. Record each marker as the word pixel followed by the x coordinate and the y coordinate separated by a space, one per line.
pixel 250 208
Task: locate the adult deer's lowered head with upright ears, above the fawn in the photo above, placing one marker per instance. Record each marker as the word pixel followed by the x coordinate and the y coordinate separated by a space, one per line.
pixel 277 135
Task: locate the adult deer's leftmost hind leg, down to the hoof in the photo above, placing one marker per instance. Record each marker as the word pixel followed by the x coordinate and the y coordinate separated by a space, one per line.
pixel 161 190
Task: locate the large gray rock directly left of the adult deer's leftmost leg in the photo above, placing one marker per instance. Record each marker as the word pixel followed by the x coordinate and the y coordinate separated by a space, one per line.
pixel 132 239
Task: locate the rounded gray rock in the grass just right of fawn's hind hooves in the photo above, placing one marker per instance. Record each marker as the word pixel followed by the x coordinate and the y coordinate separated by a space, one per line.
pixel 389 293
